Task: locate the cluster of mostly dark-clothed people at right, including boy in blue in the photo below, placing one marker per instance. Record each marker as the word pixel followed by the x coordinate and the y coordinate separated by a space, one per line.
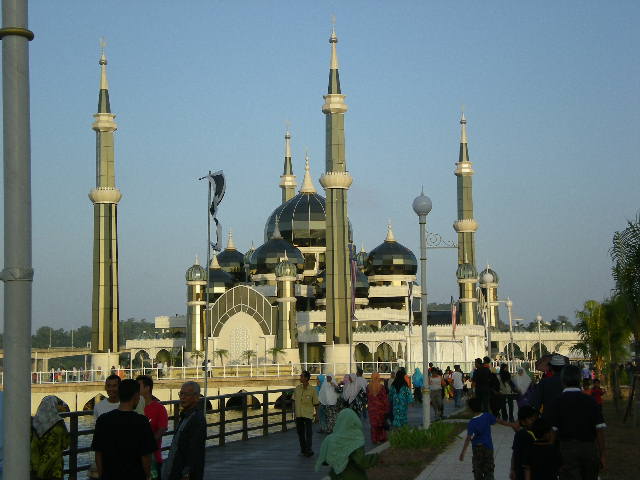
pixel 559 433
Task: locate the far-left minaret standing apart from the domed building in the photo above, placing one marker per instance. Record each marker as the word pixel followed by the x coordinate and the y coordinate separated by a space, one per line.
pixel 105 198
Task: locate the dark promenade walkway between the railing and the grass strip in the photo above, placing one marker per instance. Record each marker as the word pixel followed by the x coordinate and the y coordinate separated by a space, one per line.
pixel 276 456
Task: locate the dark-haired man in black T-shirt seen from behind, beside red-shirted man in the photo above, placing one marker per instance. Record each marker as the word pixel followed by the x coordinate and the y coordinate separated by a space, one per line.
pixel 123 440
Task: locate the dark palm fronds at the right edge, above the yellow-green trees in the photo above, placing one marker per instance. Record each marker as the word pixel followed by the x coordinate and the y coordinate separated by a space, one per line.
pixel 625 253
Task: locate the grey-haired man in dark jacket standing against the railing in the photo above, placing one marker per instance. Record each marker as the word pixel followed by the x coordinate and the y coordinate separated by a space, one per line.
pixel 186 457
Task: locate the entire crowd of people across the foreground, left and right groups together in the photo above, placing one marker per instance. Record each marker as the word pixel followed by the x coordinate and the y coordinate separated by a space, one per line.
pixel 559 431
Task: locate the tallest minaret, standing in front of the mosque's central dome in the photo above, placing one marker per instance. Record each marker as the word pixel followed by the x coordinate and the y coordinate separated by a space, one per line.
pixel 336 181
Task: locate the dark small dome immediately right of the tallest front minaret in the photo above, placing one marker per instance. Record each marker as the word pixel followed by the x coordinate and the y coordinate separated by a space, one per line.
pixel 391 258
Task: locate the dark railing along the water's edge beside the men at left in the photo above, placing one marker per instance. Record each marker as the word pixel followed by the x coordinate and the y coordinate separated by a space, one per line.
pixel 215 430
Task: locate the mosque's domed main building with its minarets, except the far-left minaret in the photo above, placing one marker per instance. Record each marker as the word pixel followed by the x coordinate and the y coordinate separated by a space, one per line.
pixel 306 294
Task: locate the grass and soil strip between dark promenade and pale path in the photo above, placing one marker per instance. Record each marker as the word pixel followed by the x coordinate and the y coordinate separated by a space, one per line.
pixel 412 449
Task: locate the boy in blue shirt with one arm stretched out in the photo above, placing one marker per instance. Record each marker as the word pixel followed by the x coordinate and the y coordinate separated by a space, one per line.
pixel 479 435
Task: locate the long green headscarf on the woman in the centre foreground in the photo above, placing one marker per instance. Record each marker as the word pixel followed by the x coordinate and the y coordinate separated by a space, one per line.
pixel 347 436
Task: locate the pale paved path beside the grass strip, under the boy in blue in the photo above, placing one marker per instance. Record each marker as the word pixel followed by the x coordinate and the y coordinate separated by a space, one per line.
pixel 447 466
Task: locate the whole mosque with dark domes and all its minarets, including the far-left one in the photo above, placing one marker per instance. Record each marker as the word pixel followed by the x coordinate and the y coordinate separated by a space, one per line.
pixel 305 294
